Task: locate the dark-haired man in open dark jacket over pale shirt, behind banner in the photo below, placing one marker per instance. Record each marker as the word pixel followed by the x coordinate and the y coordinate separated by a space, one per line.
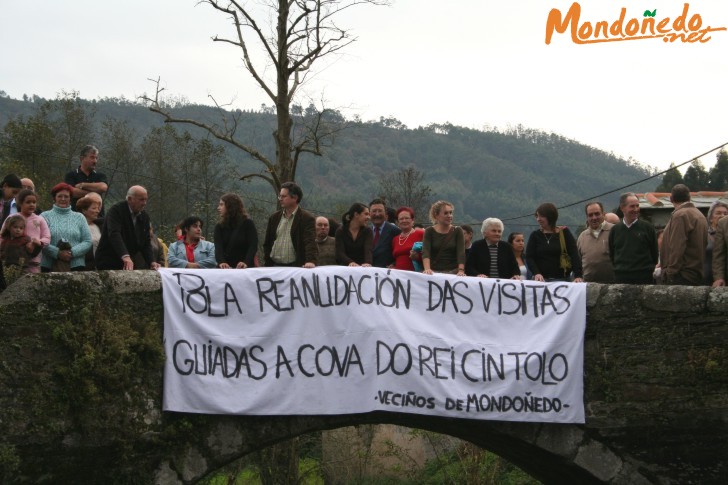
pixel 290 239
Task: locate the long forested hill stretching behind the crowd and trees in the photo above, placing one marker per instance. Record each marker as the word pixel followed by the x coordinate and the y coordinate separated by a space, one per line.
pixel 484 173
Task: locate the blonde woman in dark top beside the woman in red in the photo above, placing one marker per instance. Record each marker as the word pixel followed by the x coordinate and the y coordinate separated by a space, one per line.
pixel 443 245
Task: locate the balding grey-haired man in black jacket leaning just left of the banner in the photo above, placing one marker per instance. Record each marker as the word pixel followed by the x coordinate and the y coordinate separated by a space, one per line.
pixel 125 236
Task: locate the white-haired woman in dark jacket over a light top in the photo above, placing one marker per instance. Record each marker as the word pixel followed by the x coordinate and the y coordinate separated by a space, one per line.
pixel 490 257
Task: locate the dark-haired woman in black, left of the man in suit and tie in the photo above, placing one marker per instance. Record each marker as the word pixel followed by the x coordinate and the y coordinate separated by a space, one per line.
pixel 354 239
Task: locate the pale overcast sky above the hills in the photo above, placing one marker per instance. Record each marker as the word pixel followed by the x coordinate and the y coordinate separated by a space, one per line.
pixel 474 63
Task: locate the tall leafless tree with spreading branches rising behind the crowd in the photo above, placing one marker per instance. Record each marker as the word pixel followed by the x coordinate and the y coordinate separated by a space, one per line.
pixel 292 35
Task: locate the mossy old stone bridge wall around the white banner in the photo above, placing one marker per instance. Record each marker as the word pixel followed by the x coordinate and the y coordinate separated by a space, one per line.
pixel 81 389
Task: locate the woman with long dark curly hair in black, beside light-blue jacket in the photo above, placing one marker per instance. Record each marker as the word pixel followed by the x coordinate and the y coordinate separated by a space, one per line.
pixel 236 240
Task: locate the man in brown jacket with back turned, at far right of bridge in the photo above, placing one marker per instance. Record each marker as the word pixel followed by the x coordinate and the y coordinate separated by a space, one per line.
pixel 683 242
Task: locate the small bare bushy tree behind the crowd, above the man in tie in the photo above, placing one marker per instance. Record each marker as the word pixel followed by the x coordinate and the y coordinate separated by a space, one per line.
pixel 407 187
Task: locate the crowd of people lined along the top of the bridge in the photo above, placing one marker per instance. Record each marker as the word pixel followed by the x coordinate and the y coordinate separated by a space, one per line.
pixel 76 234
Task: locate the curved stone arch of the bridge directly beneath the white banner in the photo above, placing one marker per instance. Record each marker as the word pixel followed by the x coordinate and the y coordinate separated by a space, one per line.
pixel 551 453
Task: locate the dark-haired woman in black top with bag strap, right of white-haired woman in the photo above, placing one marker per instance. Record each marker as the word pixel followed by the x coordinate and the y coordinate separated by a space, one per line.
pixel 543 252
